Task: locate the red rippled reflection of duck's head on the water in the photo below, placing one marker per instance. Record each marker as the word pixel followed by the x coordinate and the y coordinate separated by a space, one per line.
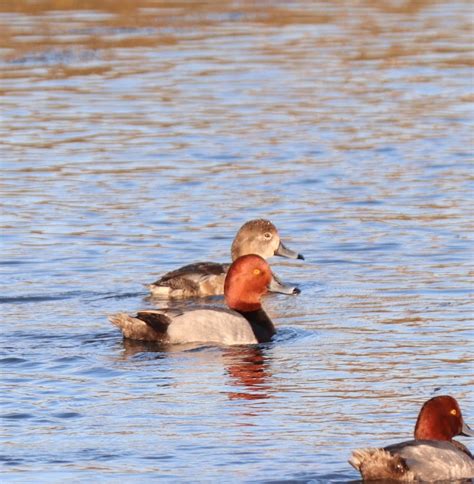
pixel 248 368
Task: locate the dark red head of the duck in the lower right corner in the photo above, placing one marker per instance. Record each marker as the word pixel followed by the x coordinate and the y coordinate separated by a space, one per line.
pixel 440 418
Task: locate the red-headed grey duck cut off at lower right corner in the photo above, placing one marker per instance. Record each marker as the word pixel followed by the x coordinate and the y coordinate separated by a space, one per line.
pixel 432 456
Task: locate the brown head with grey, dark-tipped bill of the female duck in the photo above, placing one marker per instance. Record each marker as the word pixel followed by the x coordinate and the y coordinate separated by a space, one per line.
pixel 260 237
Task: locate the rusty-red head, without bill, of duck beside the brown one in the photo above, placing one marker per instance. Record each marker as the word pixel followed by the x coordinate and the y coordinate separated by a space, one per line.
pixel 247 280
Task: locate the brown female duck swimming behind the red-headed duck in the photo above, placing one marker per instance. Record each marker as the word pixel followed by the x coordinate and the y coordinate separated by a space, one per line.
pixel 207 278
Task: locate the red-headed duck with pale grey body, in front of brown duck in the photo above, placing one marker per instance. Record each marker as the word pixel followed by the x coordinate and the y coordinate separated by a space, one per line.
pixel 245 322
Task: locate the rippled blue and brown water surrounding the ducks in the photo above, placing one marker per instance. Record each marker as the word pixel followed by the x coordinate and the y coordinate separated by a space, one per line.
pixel 139 136
